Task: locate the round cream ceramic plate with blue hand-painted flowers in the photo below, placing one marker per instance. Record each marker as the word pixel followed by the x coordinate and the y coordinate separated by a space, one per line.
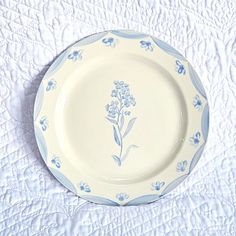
pixel 121 118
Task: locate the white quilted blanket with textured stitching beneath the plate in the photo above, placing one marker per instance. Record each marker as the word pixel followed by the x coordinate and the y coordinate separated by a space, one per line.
pixel 32 34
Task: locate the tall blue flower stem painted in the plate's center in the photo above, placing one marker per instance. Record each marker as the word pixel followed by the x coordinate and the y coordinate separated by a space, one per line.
pixel 117 111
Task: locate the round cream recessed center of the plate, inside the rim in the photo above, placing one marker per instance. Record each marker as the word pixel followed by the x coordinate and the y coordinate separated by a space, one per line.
pixel 121 120
